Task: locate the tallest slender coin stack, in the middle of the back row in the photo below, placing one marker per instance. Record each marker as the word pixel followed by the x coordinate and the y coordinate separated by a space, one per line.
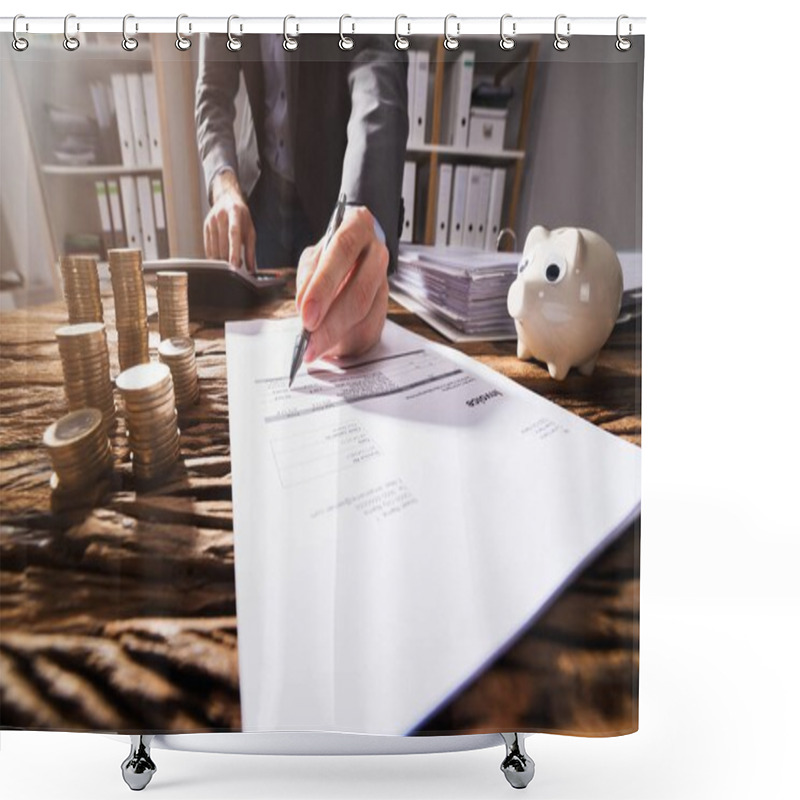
pixel 130 306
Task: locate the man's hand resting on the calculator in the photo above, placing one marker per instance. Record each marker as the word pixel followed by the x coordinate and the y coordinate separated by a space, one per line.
pixel 228 225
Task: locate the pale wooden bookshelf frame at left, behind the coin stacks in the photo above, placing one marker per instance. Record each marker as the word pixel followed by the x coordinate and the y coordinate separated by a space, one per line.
pixel 48 76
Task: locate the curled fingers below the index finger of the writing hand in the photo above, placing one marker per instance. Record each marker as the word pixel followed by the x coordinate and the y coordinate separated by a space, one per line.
pixel 354 320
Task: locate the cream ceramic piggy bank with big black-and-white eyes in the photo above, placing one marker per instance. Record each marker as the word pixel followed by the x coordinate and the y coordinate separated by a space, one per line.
pixel 566 298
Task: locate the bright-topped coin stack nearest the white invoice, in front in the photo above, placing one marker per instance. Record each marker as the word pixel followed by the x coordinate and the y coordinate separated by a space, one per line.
pixel 151 418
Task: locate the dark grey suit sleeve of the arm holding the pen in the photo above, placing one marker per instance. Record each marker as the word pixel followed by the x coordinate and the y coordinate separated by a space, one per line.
pixel 377 131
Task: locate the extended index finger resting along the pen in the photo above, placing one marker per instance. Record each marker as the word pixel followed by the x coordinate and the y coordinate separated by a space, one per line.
pixel 356 235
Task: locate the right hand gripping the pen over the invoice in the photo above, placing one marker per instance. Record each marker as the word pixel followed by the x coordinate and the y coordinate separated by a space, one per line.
pixel 343 293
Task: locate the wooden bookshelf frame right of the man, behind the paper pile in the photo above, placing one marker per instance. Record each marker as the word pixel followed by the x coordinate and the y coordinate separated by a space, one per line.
pixel 515 68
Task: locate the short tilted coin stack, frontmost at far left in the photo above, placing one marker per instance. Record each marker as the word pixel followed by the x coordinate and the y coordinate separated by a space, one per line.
pixel 79 450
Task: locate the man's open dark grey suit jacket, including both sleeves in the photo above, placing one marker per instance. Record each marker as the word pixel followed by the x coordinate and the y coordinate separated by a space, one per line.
pixel 348 113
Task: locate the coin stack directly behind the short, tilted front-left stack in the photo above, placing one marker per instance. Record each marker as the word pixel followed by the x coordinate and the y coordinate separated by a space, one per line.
pixel 84 360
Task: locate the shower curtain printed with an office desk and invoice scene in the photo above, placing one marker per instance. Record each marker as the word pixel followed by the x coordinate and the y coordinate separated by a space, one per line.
pixel 139 589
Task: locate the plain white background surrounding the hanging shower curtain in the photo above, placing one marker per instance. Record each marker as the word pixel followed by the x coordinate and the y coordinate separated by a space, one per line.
pixel 719 698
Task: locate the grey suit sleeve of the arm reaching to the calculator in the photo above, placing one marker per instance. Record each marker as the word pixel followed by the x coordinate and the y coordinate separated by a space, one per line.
pixel 215 110
